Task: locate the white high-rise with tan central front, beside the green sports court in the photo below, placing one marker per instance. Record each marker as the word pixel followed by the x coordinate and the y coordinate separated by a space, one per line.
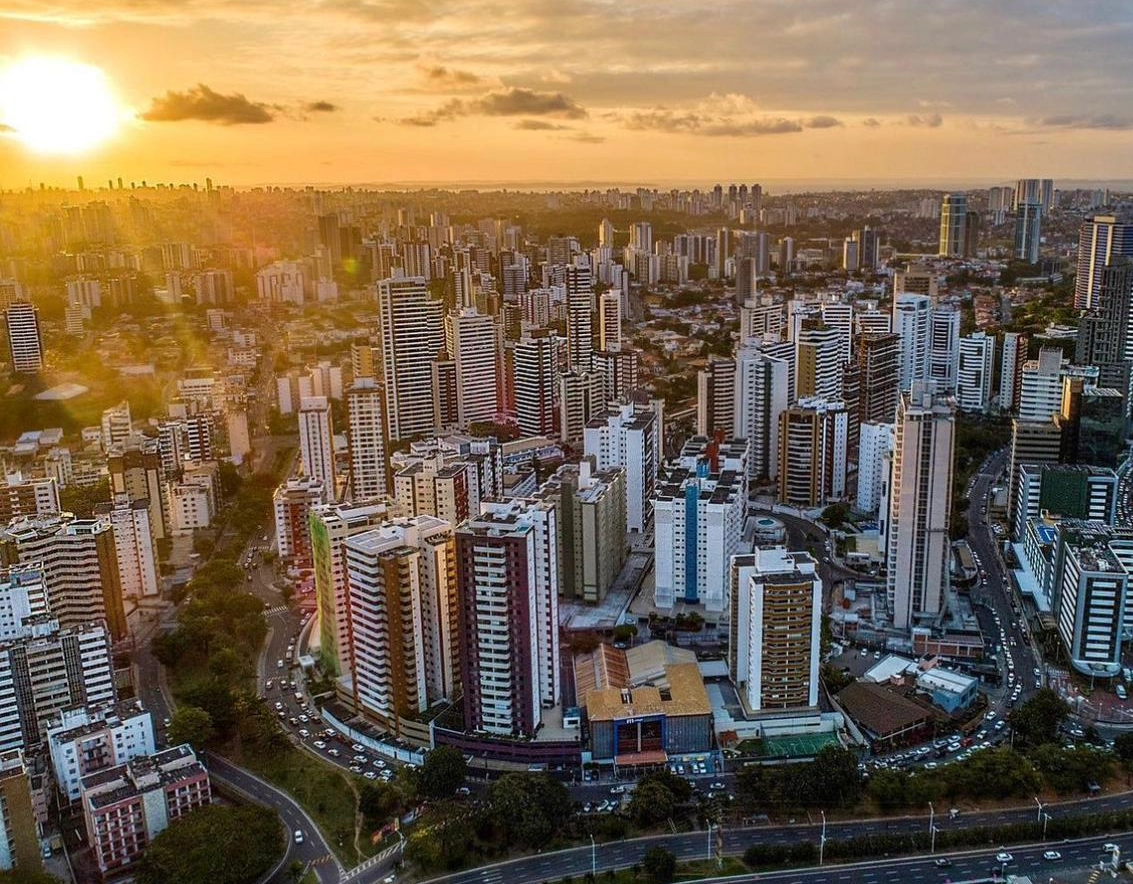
pixel 776 630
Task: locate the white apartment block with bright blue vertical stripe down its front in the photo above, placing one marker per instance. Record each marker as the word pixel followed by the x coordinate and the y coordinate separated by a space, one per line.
pixel 698 518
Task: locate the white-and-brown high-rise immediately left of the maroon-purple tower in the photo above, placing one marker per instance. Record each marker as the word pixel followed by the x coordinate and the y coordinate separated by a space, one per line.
pixel 403 605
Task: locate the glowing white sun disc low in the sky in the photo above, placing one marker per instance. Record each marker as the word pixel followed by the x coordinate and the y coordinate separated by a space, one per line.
pixel 56 106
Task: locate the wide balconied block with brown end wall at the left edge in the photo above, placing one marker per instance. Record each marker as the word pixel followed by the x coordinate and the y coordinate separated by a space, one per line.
pixel 81 564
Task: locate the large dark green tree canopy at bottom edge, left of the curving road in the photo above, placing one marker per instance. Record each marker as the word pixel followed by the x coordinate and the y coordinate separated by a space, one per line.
pixel 215 845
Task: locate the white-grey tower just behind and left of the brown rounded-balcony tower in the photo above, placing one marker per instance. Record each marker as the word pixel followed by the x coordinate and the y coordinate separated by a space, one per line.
pixel 762 394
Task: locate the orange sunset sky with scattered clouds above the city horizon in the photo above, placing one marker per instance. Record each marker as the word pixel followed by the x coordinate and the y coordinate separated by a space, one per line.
pixel 632 91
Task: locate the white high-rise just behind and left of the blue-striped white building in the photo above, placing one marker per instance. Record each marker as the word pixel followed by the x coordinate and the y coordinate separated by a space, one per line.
pixel 629 436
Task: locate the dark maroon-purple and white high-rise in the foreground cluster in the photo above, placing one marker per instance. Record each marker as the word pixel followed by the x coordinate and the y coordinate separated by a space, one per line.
pixel 508 597
